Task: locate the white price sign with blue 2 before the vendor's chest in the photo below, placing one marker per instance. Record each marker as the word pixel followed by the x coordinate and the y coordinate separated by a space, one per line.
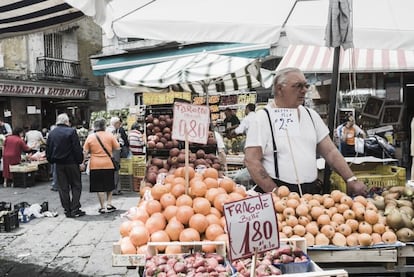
pixel 286 121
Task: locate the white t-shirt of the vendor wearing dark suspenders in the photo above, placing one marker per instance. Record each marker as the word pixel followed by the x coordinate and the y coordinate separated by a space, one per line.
pixel 302 153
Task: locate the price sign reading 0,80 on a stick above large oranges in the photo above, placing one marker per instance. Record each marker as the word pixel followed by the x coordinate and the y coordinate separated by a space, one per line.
pixel 191 119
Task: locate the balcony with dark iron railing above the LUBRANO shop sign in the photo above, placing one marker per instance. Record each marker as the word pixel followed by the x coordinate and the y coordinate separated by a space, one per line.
pixel 57 69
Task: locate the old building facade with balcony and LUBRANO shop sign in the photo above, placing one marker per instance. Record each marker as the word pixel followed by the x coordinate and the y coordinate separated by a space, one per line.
pixel 47 73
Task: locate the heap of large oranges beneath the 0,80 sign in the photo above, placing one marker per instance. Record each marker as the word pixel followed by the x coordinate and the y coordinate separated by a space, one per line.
pixel 179 212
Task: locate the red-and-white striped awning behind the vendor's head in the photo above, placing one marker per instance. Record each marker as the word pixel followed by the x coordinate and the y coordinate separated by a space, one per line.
pixel 315 59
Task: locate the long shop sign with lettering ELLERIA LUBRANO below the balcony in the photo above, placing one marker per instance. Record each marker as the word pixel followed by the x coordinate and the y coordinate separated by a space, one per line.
pixel 36 90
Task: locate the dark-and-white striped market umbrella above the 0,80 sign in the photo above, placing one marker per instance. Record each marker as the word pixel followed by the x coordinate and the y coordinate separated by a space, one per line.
pixel 202 73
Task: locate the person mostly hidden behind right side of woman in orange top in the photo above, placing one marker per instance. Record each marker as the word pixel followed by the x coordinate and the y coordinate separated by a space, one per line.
pixel 115 127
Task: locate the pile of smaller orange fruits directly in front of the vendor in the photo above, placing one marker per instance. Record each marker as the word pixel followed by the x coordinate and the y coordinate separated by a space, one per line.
pixel 331 219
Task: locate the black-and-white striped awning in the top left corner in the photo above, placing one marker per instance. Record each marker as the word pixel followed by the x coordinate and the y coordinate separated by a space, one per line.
pixel 19 17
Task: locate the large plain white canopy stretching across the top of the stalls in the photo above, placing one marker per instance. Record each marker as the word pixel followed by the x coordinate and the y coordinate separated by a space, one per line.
pixel 380 24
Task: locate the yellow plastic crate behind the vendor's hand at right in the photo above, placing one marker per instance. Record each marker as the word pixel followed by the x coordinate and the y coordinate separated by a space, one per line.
pixel 382 176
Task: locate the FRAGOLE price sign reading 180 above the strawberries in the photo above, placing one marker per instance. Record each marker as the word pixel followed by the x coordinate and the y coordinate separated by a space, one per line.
pixel 251 224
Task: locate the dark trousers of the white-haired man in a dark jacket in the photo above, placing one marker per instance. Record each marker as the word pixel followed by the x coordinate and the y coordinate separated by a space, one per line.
pixel 70 184
